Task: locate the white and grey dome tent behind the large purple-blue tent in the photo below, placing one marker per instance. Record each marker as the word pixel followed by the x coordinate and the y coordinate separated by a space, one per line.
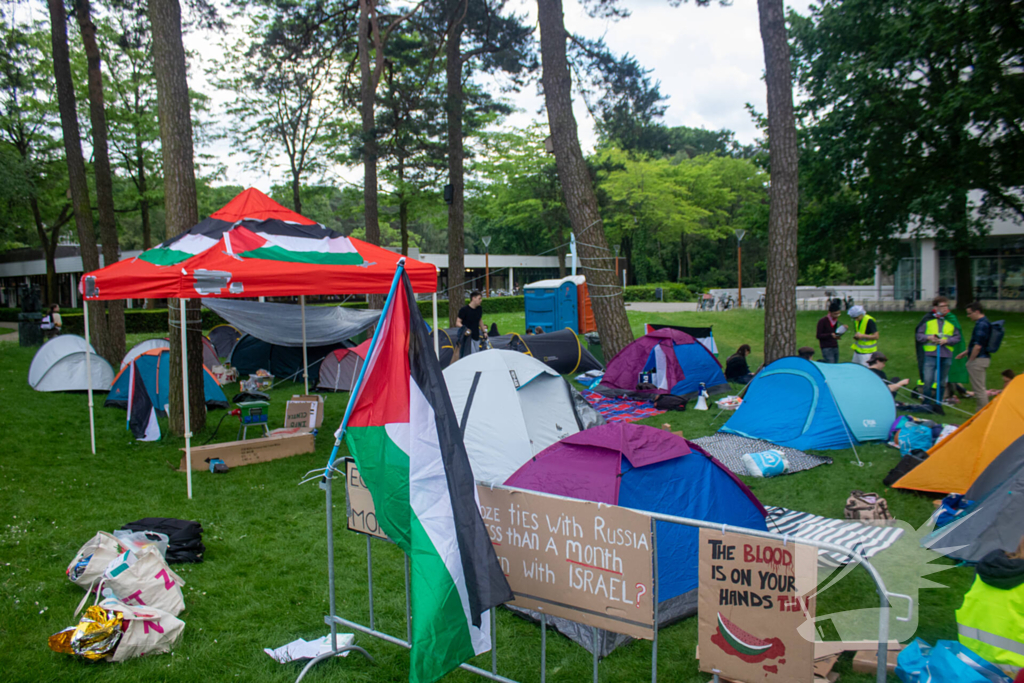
pixel 511 407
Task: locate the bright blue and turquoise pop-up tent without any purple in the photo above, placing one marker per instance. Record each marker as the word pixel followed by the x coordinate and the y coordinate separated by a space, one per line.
pixel 815 406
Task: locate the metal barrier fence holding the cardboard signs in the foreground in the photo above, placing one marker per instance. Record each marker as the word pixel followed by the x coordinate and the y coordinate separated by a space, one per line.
pixel 334 621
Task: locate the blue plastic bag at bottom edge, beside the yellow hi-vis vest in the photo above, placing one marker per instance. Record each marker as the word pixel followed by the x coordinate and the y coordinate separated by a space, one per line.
pixel 948 662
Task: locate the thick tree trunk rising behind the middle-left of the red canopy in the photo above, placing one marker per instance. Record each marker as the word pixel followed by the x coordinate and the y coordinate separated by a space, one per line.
pixel 181 205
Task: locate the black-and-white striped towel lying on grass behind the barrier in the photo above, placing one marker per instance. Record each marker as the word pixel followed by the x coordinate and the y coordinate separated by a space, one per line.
pixel 868 539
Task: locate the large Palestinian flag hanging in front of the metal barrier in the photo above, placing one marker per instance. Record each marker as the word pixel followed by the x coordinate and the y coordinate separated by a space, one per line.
pixel 407 443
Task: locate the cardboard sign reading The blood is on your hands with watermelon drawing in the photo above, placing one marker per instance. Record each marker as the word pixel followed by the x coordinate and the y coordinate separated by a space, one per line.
pixel 753 596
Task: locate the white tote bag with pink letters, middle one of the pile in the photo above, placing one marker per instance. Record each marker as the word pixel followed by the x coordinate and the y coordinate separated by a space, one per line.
pixel 145 580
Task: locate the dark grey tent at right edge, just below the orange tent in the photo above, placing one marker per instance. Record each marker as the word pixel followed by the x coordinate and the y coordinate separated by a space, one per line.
pixel 998 521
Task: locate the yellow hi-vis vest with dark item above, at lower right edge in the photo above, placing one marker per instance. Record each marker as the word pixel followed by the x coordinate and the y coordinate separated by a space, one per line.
pixel 992 620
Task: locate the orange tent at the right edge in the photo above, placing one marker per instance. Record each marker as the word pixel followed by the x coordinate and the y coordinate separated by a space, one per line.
pixel 957 461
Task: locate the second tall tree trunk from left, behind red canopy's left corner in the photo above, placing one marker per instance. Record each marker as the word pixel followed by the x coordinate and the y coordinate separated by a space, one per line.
pixel 114 348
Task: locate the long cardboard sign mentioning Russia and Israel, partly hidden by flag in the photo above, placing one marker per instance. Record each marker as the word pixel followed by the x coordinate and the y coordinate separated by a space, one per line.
pixel 588 563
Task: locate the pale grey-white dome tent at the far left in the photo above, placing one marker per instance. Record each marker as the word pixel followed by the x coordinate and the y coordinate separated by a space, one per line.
pixel 60 366
